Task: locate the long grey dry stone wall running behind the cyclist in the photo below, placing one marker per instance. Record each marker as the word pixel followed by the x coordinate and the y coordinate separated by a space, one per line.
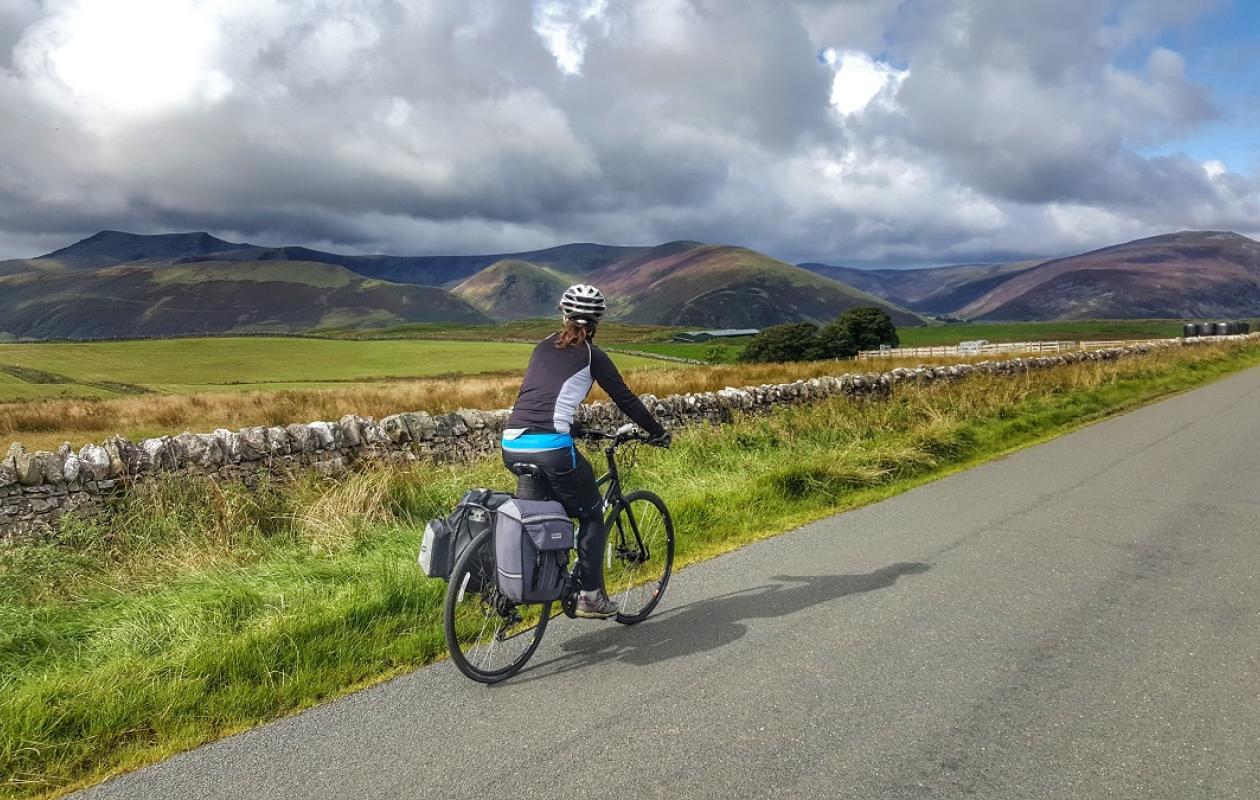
pixel 37 488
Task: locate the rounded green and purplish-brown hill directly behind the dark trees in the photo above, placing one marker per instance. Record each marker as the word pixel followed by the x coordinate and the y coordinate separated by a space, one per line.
pixel 721 287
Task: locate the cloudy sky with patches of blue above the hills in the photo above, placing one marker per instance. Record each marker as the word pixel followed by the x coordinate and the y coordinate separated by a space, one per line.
pixel 895 133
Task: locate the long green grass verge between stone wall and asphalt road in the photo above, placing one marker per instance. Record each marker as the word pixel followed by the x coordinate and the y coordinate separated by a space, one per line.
pixel 200 610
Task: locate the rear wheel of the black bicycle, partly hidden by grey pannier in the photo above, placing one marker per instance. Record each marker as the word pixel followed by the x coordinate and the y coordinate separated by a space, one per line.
pixel 490 637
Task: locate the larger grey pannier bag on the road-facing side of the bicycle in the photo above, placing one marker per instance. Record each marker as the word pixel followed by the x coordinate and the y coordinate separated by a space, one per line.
pixel 532 540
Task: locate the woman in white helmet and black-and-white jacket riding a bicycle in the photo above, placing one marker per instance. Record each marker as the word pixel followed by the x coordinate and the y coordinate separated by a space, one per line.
pixel 541 429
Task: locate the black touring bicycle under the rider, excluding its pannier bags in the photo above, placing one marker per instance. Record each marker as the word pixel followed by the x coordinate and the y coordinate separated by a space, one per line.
pixel 492 638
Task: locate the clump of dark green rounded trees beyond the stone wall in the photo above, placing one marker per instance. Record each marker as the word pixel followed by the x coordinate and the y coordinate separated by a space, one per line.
pixel 857 329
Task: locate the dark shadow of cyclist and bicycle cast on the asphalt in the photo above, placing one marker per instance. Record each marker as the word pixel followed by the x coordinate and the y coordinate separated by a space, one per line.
pixel 714 623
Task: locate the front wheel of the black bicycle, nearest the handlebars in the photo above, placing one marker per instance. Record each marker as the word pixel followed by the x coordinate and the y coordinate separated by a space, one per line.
pixel 641 555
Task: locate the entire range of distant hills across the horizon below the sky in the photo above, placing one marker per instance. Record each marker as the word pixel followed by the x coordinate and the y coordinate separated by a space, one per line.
pixel 119 285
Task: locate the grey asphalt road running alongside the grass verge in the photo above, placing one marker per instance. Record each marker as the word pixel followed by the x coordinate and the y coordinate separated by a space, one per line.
pixel 1078 620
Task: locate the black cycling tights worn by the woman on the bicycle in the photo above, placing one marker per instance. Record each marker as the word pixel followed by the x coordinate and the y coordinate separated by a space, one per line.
pixel 573 483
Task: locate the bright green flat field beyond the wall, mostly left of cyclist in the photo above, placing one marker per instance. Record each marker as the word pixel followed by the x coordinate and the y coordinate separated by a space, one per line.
pixel 219 365
